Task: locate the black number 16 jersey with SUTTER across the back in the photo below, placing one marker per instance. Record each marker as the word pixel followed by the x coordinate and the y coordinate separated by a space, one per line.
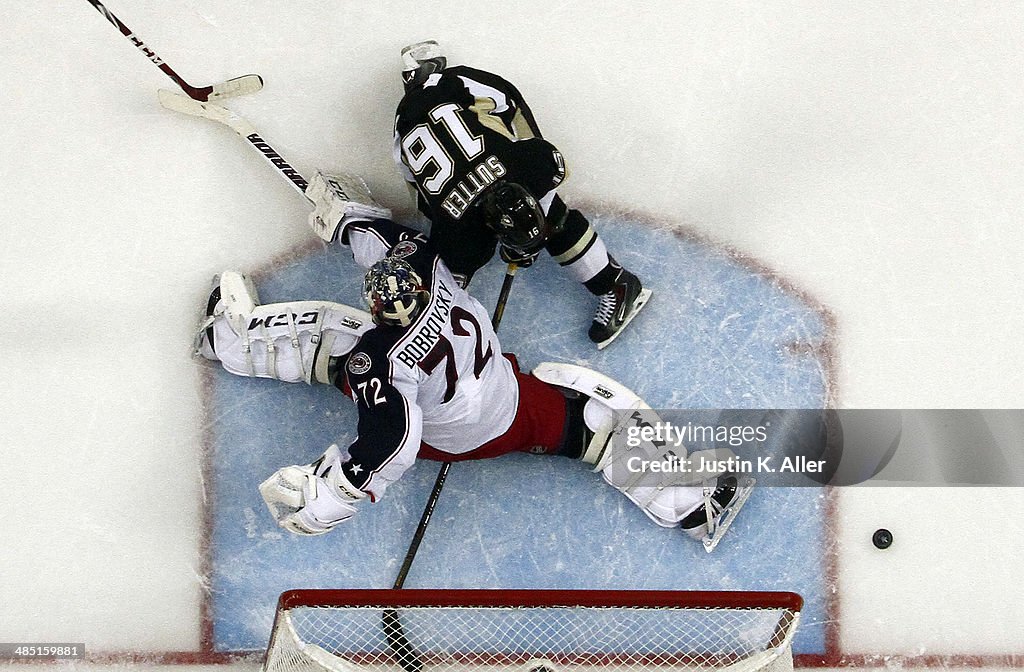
pixel 459 133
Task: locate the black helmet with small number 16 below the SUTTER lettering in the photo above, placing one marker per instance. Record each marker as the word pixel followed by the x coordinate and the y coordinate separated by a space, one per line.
pixel 515 215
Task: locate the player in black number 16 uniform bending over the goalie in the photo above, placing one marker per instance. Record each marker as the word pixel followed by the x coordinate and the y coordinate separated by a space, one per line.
pixel 470 144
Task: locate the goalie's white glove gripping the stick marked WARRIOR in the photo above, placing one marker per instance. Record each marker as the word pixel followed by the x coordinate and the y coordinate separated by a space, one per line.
pixel 338 200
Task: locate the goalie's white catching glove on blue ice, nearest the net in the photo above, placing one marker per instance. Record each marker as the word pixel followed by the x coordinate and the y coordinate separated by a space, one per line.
pixel 313 499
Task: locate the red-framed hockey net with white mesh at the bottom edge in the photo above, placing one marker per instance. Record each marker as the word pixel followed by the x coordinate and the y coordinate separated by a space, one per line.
pixel 532 632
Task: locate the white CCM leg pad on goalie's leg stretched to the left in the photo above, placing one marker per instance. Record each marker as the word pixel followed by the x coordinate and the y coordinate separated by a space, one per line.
pixel 292 343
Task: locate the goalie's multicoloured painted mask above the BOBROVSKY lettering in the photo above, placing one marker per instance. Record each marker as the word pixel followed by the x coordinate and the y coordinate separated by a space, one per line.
pixel 395 292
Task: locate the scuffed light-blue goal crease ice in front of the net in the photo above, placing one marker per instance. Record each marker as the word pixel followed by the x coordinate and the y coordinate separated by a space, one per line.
pixel 716 334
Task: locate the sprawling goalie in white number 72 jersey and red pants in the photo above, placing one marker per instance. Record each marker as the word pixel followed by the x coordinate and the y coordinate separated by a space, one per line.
pixel 428 374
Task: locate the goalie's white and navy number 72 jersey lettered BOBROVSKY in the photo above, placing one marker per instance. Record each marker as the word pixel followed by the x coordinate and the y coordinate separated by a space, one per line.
pixel 442 382
